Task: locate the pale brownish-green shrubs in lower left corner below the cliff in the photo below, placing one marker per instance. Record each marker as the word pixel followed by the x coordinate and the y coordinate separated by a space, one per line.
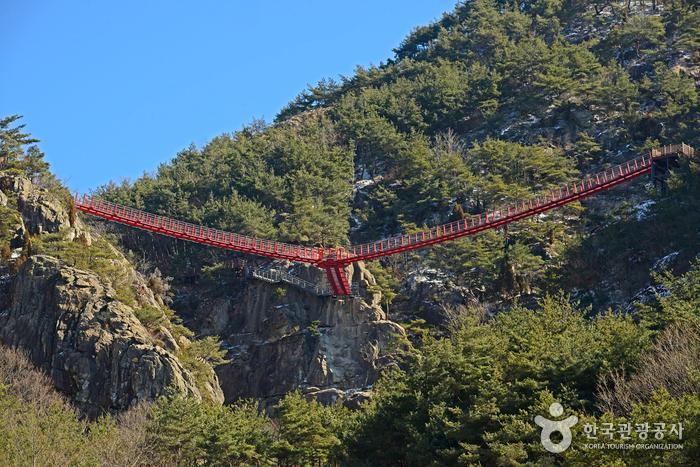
pixel 40 428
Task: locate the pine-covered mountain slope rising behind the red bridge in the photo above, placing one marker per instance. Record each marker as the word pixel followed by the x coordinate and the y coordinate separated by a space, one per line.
pixel 490 104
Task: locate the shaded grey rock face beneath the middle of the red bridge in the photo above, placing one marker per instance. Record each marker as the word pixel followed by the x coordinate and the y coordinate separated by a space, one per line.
pixel 281 338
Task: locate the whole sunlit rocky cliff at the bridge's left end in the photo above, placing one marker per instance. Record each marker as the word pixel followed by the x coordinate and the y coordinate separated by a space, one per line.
pixel 72 322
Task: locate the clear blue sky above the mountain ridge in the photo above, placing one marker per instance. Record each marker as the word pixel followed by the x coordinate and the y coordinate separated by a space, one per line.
pixel 114 88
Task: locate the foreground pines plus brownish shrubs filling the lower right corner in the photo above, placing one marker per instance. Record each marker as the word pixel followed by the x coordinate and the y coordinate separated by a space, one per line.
pixel 472 398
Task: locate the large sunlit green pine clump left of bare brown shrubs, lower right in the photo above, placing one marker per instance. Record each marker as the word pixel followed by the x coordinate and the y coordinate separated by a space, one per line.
pixel 455 401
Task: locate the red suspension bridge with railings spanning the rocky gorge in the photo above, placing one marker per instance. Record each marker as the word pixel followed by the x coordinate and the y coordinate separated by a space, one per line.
pixel 334 260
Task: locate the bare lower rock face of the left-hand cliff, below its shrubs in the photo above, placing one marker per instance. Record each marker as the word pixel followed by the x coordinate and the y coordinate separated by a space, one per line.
pixel 91 345
